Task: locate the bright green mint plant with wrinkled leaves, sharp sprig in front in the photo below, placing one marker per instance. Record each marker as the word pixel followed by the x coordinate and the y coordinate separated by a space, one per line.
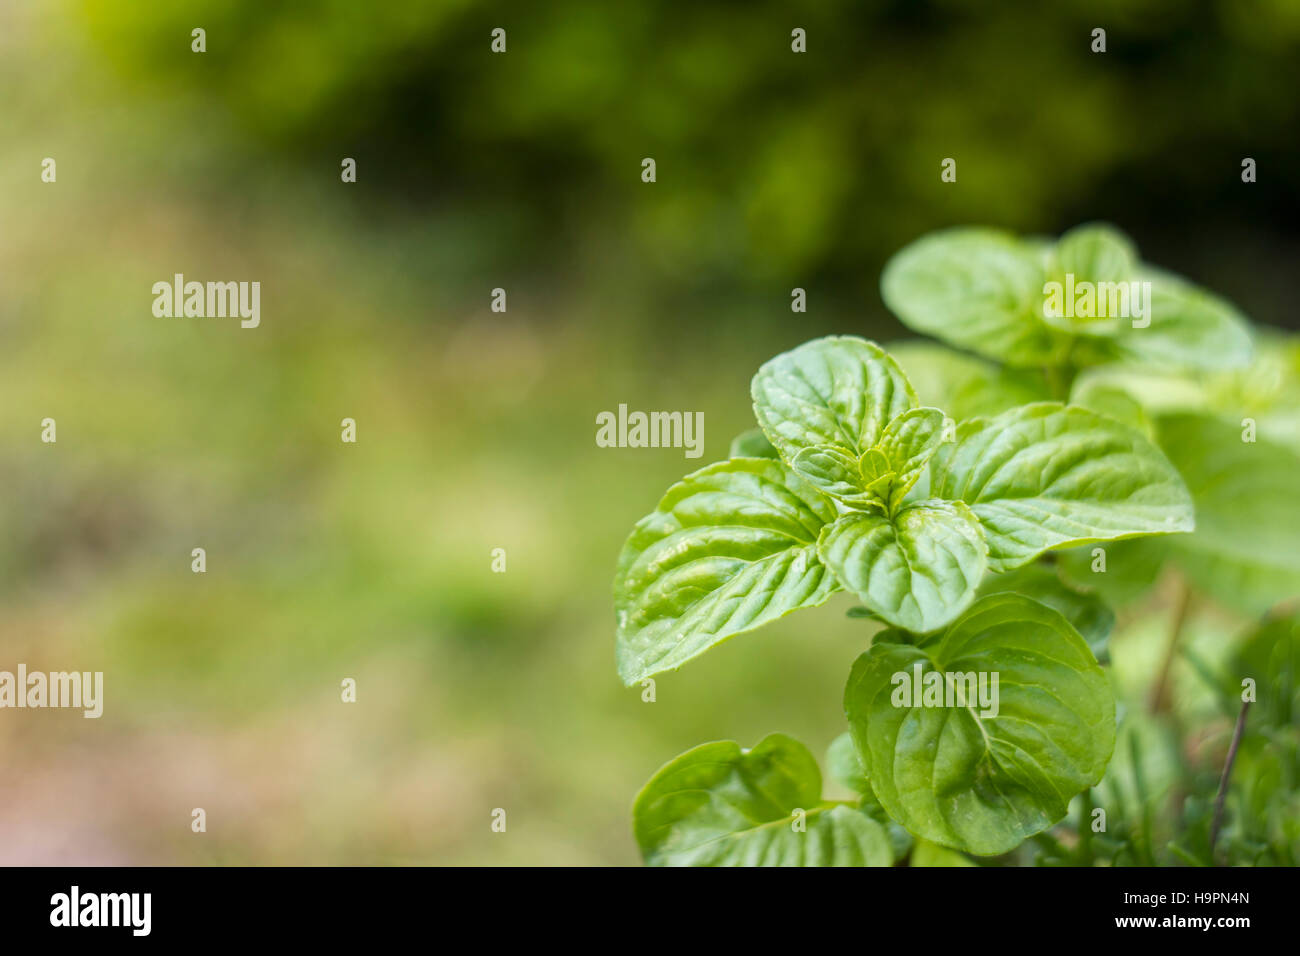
pixel 943 518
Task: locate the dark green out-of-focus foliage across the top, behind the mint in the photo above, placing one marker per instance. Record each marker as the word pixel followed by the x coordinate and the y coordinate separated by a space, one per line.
pixel 773 167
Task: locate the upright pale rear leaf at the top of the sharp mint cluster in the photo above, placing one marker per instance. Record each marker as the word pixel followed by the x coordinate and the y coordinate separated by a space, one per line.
pixel 838 392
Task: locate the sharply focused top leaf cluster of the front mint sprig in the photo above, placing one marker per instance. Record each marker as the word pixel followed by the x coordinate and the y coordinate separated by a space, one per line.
pixel 868 496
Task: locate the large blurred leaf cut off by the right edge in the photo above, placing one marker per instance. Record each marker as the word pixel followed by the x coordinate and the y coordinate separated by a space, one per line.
pixel 1247 512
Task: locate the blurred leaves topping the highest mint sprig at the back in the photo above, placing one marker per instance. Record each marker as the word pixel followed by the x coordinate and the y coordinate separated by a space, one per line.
pixel 1086 300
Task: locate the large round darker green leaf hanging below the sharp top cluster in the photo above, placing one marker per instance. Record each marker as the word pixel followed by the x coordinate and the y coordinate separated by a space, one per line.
pixel 960 776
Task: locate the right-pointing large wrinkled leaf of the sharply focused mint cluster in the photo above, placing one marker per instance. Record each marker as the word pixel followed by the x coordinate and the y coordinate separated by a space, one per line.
pixel 1051 477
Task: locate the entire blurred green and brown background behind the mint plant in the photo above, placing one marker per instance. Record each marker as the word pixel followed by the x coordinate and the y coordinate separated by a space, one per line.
pixel 476 430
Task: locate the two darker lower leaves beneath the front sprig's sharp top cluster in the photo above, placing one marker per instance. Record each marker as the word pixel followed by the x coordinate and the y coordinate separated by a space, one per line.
pixel 955 773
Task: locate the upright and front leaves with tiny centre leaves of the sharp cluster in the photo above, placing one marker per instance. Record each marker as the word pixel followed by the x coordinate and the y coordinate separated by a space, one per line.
pixel 843 416
